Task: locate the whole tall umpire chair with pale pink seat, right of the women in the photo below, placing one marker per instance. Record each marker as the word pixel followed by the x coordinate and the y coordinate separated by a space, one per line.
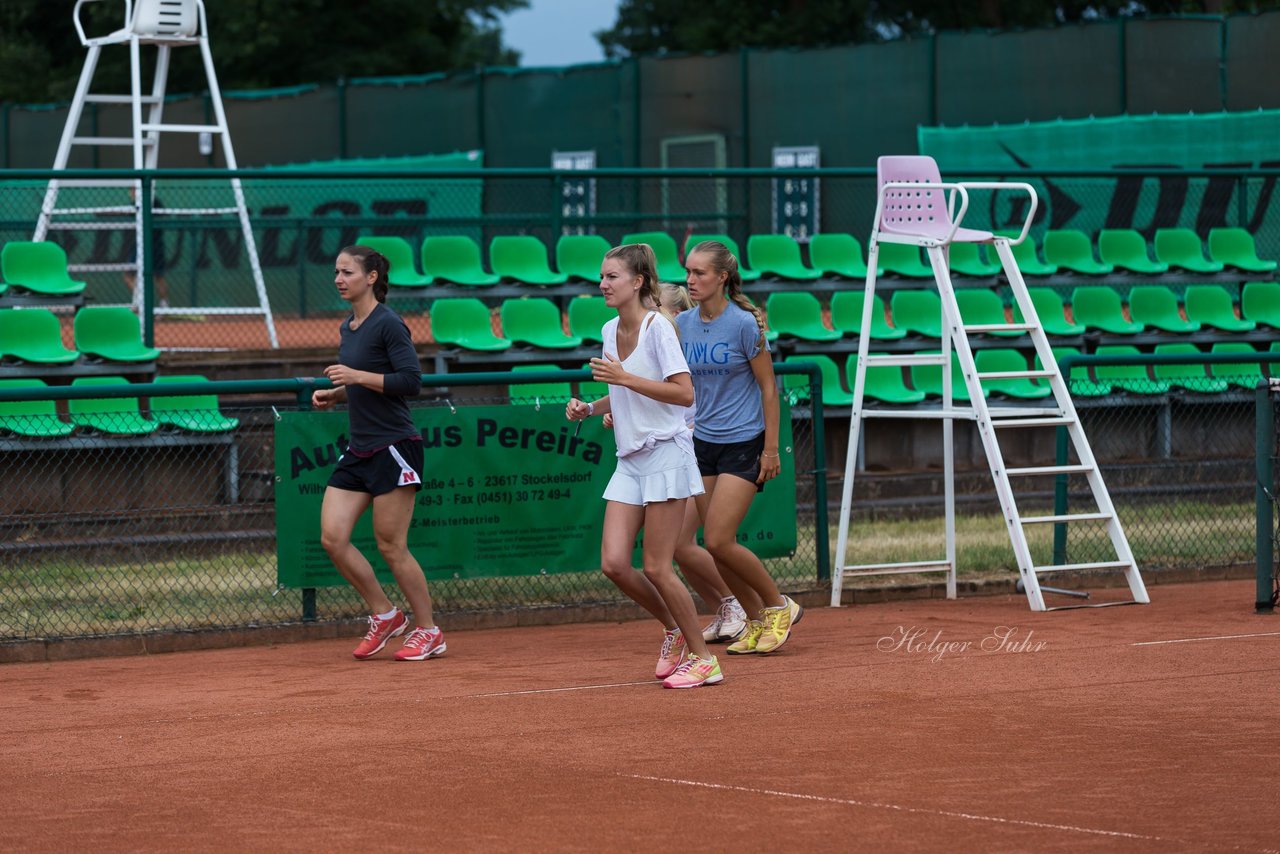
pixel 917 208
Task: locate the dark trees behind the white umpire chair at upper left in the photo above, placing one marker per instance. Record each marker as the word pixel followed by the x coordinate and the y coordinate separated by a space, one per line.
pixel 259 44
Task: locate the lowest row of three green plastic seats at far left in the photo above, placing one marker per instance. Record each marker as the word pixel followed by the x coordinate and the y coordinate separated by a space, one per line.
pixel 113 415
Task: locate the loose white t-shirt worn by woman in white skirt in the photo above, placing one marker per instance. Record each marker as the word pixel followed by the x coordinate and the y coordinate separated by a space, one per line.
pixel 639 422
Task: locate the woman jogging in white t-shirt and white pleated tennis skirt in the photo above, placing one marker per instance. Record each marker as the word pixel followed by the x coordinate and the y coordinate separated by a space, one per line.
pixel 657 473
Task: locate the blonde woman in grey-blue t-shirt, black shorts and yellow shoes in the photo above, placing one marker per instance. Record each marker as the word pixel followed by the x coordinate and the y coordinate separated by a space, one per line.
pixel 735 435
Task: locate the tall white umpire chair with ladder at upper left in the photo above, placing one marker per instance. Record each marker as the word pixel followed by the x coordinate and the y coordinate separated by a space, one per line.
pixel 167 25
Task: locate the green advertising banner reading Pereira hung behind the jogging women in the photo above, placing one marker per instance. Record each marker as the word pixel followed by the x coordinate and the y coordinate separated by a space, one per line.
pixel 506 491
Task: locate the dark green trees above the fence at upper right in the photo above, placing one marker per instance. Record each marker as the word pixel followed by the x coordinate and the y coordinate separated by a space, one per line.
pixel 661 26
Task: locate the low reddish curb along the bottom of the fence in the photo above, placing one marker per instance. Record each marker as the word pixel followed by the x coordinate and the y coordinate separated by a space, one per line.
pixel 863 593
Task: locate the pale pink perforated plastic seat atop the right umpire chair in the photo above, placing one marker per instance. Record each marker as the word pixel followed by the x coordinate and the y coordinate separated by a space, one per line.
pixel 921 213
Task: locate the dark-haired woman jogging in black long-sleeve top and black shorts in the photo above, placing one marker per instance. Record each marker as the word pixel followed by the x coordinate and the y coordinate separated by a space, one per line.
pixel 377 369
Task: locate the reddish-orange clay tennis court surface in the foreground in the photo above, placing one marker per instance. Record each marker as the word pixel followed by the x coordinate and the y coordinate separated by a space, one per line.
pixel 1127 729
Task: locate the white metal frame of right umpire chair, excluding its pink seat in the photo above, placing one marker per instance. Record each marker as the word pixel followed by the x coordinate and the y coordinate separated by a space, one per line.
pixel 991 421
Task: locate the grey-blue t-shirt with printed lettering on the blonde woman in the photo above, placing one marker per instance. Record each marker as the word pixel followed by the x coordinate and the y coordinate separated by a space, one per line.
pixel 725 389
